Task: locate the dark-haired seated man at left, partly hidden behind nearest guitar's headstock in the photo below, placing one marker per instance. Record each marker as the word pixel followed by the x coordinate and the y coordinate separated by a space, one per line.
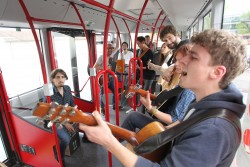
pixel 62 95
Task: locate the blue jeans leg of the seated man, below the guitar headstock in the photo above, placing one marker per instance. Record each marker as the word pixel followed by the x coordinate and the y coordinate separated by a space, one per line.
pixel 64 139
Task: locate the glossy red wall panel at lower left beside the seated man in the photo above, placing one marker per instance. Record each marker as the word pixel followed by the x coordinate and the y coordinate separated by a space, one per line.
pixel 41 140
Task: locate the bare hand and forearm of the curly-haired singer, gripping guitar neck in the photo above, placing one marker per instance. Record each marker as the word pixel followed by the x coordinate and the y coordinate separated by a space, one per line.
pixel 101 134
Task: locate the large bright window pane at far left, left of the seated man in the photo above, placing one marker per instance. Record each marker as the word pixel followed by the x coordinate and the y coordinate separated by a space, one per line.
pixel 19 61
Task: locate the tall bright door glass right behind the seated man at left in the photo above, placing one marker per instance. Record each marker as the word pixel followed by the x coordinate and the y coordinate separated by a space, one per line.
pixel 72 56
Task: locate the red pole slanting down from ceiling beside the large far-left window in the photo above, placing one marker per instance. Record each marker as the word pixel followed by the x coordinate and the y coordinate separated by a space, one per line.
pixel 29 19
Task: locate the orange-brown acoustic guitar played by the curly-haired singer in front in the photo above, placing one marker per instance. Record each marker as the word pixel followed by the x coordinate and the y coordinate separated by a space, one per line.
pixel 62 114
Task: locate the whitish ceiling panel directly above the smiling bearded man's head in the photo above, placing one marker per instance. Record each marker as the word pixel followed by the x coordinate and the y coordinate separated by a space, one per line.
pixel 182 13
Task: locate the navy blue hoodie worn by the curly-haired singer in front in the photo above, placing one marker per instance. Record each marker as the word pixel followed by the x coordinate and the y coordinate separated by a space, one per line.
pixel 210 143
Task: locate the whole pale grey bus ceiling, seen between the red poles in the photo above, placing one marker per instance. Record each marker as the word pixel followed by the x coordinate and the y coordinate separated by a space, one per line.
pixel 180 13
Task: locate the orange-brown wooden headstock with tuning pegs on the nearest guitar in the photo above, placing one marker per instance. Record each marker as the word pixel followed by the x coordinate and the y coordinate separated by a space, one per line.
pixel 61 114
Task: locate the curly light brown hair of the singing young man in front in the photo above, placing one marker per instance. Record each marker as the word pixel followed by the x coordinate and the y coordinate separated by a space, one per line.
pixel 226 49
